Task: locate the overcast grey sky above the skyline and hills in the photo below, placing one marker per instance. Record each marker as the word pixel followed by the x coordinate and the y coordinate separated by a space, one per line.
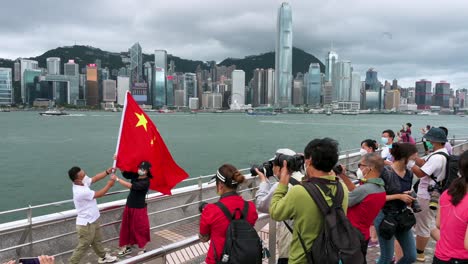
pixel 403 39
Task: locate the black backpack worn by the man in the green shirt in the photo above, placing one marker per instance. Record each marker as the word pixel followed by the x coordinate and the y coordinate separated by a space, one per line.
pixel 338 241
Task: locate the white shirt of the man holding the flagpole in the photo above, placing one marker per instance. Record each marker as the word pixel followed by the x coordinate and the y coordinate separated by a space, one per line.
pixel 85 204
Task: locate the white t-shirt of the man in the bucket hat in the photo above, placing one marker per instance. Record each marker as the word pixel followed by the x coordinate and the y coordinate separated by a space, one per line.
pixel 435 165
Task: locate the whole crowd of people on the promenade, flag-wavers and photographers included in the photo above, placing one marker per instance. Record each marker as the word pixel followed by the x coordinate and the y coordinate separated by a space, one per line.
pixel 400 201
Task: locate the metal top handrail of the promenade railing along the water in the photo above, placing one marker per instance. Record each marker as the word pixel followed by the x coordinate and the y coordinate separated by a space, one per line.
pixel 345 153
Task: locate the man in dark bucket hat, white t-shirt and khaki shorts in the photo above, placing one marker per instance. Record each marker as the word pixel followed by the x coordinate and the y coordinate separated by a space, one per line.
pixel 431 172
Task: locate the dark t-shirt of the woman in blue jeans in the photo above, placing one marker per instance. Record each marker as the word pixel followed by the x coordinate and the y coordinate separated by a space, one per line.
pixel 395 184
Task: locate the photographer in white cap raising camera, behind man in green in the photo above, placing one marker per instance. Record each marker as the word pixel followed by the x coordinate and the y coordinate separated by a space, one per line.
pixel 268 175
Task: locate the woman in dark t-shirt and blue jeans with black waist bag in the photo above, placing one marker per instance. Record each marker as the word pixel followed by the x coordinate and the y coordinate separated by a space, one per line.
pixel 398 183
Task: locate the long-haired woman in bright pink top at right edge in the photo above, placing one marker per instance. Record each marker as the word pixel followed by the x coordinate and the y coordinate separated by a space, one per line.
pixel 452 219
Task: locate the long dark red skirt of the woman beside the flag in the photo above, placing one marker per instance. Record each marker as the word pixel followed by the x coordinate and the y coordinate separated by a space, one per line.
pixel 135 227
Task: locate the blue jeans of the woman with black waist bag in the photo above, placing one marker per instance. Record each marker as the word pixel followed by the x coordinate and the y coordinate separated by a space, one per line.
pixel 406 240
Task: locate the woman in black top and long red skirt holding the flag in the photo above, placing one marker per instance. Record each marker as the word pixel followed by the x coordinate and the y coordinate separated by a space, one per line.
pixel 135 227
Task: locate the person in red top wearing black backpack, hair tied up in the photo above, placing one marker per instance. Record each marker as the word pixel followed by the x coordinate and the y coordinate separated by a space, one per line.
pixel 214 222
